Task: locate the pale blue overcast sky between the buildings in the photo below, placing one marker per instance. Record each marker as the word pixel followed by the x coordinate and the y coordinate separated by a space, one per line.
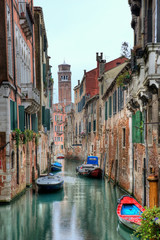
pixel 77 29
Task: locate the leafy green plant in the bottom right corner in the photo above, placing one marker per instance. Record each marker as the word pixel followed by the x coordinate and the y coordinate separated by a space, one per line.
pixel 150 224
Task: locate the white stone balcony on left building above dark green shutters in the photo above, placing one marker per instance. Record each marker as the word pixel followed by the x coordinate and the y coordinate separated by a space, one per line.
pixel 30 98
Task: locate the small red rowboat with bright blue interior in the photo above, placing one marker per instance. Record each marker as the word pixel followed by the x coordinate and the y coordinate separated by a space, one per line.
pixel 129 212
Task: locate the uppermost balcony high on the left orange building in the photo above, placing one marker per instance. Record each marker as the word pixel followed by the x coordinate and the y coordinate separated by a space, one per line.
pixel 26 19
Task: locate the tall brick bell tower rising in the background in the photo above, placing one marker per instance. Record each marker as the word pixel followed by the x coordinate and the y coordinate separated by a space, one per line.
pixel 64 84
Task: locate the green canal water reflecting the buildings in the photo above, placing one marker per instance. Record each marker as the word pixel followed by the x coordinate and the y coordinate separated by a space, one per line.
pixel 84 210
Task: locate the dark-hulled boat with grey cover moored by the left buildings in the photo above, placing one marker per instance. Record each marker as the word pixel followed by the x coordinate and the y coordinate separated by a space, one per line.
pixel 50 183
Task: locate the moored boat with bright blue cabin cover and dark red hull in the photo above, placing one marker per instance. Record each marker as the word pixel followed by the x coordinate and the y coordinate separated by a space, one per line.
pixel 91 168
